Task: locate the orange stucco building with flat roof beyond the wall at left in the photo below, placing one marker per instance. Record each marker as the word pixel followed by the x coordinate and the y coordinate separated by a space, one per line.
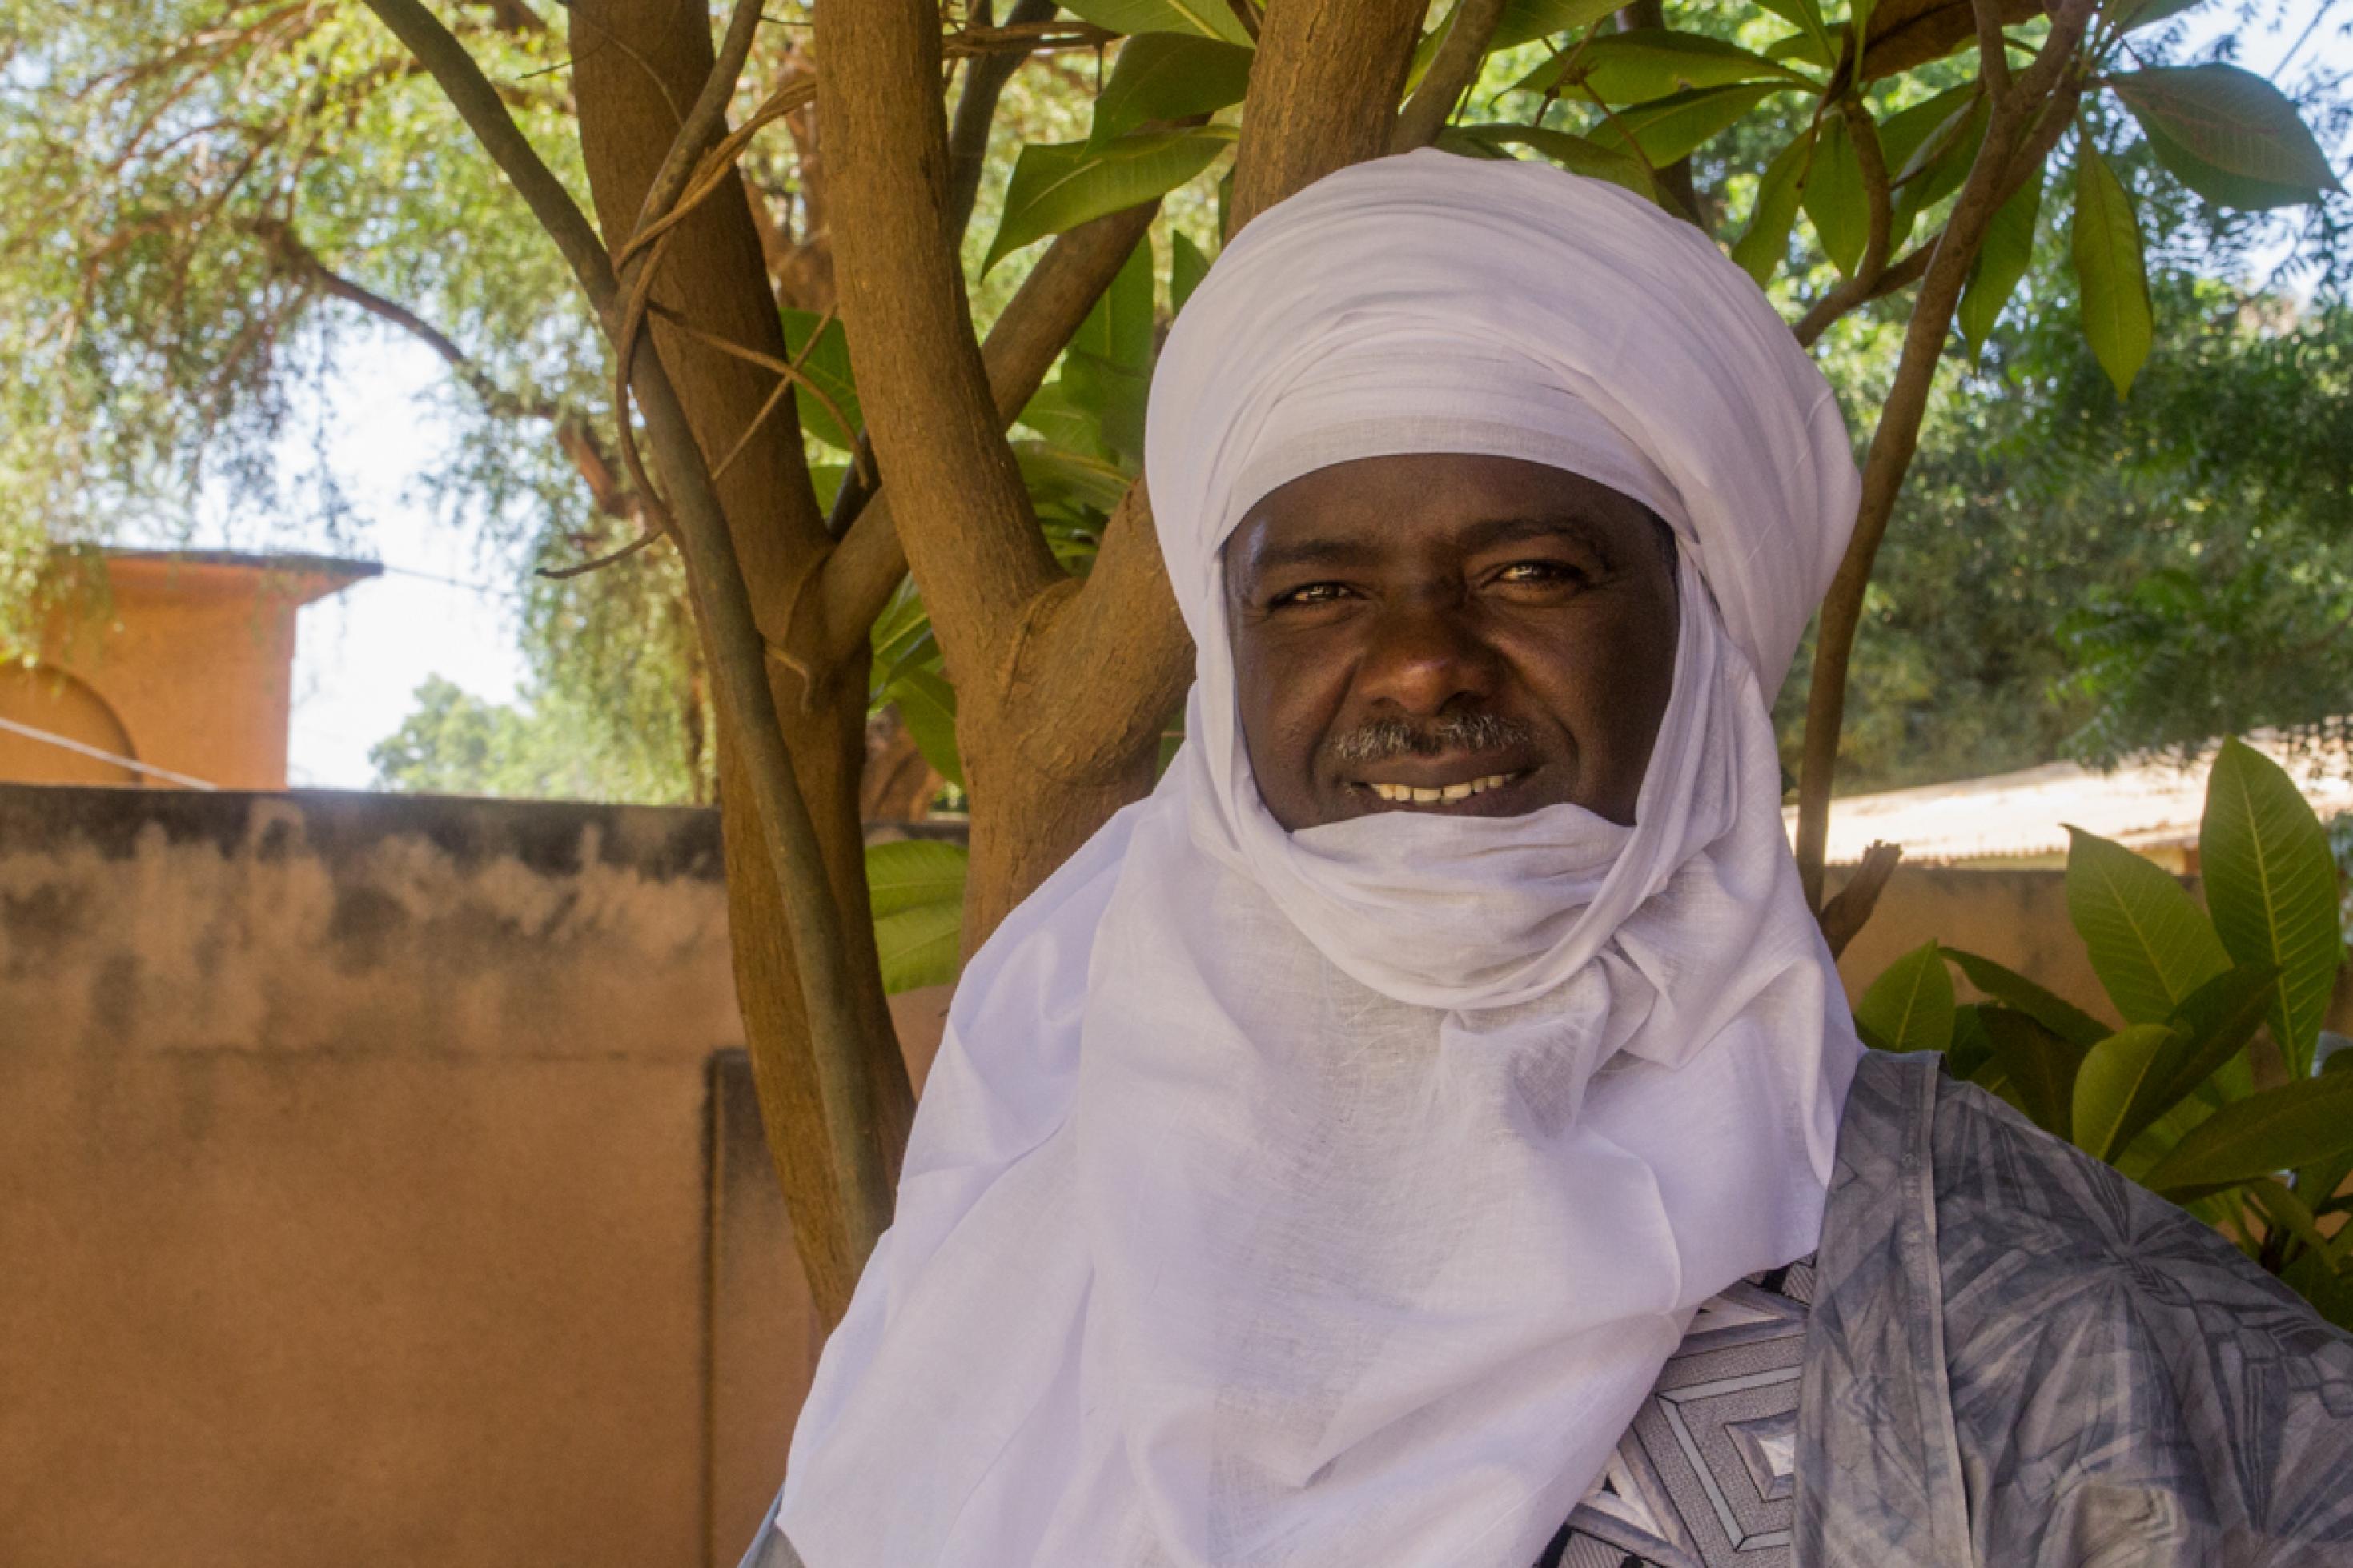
pixel 178 662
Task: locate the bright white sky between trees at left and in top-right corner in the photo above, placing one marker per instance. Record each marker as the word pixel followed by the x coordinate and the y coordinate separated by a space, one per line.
pixel 448 608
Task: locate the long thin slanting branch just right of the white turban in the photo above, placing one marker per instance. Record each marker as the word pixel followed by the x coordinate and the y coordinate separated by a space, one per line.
pixel 2034 93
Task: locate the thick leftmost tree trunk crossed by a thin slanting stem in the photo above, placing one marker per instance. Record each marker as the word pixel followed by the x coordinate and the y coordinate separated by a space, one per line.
pixel 632 67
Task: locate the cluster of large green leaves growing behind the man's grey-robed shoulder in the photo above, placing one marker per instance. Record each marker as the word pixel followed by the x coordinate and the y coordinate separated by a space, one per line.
pixel 2173 1097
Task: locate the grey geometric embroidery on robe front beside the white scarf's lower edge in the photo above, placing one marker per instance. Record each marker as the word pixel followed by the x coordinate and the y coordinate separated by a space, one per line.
pixel 1707 1473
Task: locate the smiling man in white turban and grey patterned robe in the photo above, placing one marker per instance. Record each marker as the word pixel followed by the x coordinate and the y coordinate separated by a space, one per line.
pixel 1406 1137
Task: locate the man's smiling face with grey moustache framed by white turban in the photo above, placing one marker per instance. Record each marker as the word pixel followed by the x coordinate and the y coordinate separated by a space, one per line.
pixel 1448 634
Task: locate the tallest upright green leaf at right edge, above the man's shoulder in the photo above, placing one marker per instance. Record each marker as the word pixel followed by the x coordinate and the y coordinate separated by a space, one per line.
pixel 2272 887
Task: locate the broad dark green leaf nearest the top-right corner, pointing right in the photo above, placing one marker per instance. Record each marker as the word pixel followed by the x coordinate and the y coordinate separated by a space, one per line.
pixel 2227 135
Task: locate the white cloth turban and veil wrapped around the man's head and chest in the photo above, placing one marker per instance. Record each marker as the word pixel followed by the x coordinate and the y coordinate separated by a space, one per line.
pixel 1335 1198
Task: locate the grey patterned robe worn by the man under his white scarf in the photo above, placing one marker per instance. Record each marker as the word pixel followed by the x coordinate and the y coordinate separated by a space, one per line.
pixel 2013 1360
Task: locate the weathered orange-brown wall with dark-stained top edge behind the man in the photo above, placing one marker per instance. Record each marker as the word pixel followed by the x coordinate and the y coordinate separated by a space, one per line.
pixel 382 1184
